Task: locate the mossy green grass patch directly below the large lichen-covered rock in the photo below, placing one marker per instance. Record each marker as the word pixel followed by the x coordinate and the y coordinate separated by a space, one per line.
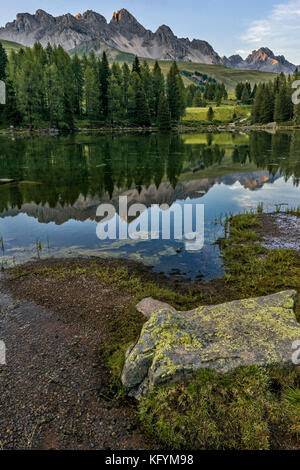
pixel 247 409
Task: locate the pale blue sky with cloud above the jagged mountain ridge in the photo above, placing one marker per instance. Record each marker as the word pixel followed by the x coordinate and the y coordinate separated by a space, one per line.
pixel 231 26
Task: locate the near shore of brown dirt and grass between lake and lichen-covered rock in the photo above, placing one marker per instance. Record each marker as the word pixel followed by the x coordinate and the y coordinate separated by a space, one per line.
pixel 70 321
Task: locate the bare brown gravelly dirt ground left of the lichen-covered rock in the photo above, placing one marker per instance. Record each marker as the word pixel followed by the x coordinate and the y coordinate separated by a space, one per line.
pixel 53 390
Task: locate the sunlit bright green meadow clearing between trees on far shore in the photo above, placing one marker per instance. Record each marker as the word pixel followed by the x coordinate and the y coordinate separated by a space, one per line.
pixel 221 113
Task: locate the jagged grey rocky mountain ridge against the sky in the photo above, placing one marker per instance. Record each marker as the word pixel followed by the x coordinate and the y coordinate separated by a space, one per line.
pixel 126 34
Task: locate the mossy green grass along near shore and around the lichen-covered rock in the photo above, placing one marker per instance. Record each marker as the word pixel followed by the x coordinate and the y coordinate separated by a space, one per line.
pixel 249 408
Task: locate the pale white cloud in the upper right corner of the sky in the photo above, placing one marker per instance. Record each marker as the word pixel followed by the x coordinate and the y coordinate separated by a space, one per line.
pixel 279 30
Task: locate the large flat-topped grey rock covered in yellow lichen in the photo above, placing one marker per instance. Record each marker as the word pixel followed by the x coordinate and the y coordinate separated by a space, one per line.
pixel 223 337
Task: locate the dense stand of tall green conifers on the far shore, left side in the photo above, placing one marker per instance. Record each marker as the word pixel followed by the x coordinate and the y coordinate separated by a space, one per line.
pixel 48 87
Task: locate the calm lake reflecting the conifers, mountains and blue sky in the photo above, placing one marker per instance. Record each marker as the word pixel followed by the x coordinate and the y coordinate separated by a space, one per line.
pixel 49 206
